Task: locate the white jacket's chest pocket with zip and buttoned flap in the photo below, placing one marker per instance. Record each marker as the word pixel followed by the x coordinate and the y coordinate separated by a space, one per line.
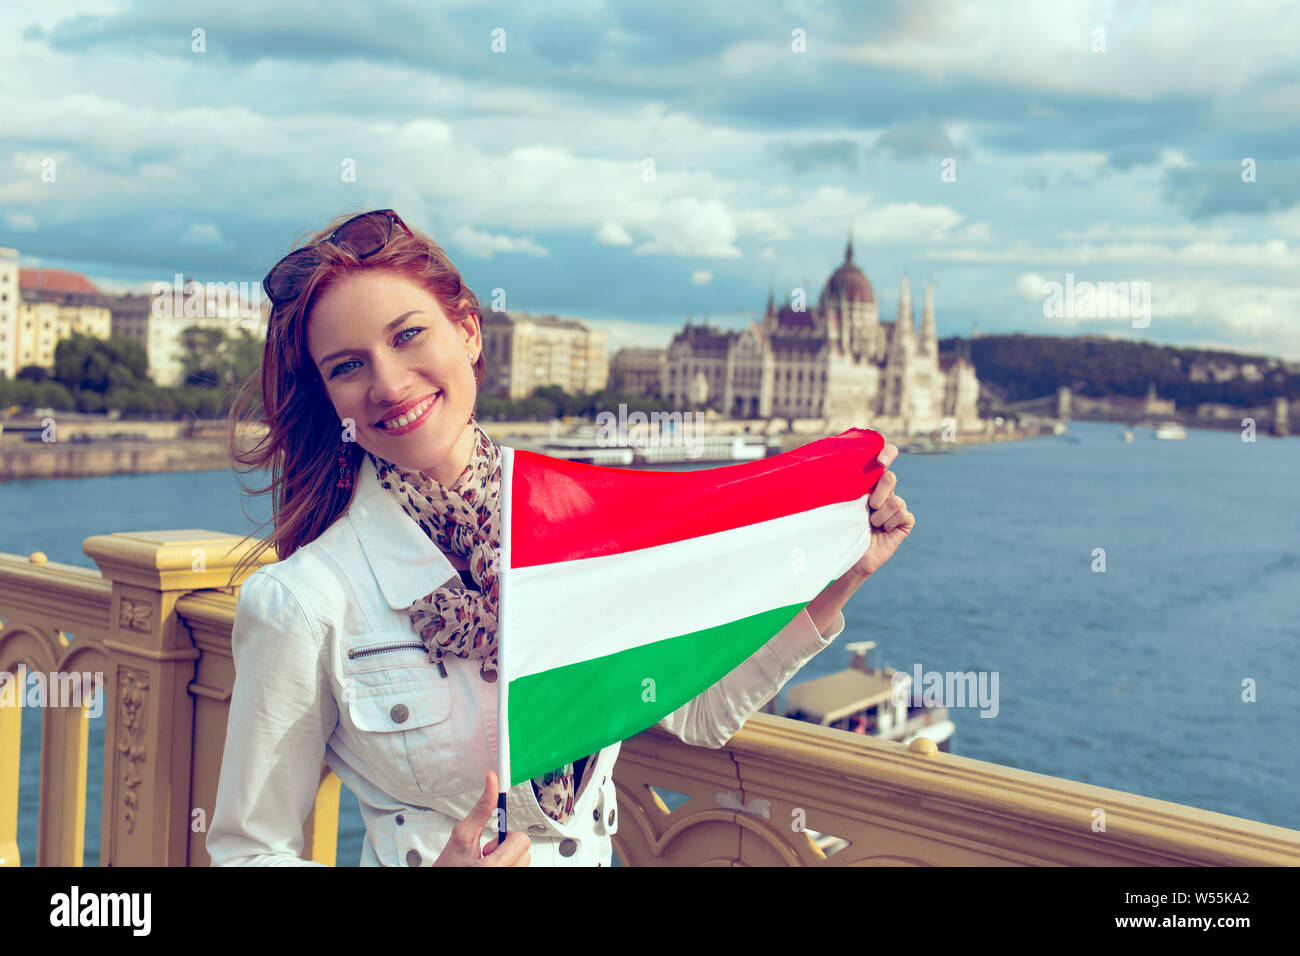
pixel 404 723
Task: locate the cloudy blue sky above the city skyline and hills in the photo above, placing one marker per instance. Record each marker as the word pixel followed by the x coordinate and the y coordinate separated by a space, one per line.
pixel 1121 163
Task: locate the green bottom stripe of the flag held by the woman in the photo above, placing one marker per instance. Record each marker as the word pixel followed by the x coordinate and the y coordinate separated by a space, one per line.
pixel 571 712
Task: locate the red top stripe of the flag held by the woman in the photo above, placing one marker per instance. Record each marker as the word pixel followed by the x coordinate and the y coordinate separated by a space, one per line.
pixel 565 511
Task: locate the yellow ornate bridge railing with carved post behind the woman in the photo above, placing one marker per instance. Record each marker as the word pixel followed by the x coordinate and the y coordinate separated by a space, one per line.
pixel 155 622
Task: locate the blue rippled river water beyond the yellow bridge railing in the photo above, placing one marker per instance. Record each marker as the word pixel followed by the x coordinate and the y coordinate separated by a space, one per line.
pixel 1175 673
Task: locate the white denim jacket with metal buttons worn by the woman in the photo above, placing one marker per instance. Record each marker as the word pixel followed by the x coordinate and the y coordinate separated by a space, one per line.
pixel 330 669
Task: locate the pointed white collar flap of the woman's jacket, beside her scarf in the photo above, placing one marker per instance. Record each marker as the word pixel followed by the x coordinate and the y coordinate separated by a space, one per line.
pixel 406 564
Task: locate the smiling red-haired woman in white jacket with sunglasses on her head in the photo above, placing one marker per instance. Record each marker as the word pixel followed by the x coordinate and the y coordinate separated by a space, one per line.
pixel 371 644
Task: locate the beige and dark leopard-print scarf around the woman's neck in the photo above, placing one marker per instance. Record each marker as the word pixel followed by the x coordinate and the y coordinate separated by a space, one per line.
pixel 466 520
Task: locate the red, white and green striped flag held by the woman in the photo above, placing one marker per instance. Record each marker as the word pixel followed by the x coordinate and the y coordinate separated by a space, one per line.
pixel 627 594
